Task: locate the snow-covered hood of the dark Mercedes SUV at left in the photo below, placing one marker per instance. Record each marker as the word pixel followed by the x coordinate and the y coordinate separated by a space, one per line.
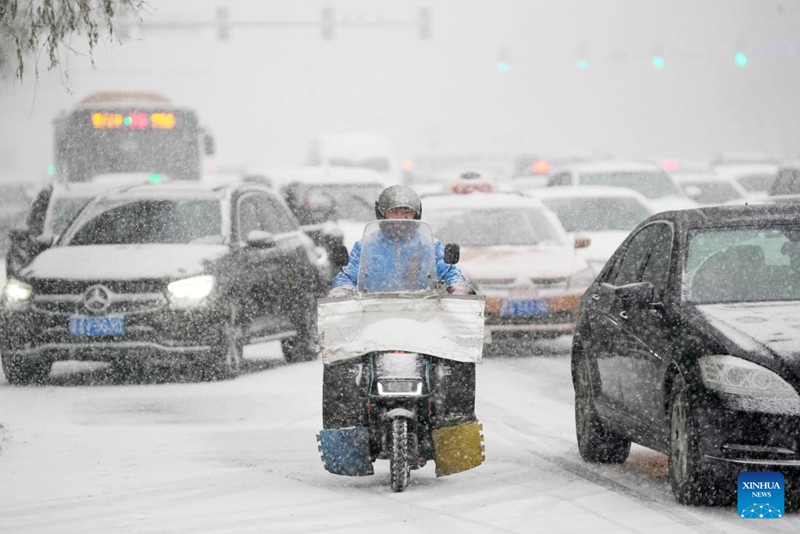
pixel 122 262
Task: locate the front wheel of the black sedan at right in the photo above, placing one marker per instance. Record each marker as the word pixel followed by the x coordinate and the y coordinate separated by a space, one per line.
pixel 690 474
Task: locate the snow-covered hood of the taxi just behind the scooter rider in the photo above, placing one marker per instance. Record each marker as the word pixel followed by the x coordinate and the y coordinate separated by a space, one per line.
pixel 514 262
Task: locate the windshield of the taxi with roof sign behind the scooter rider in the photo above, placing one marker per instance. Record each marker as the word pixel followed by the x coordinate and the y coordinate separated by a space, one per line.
pixel 495 227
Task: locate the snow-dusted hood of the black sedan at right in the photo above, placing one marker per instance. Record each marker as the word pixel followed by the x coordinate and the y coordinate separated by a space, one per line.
pixel 774 326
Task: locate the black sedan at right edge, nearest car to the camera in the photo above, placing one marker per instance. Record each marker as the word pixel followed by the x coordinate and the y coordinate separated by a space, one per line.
pixel 688 342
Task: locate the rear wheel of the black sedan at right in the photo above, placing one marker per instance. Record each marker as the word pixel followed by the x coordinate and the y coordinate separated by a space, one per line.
pixel 596 442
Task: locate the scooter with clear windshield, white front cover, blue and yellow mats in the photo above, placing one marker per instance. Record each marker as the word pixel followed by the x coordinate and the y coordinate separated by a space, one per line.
pixel 399 362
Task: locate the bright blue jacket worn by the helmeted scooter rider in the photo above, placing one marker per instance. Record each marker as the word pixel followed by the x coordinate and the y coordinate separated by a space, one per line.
pixel 392 266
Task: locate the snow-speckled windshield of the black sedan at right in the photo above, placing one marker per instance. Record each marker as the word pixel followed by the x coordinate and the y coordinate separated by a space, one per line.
pixel 743 265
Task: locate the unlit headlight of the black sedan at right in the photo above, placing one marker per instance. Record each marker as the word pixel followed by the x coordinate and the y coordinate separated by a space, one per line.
pixel 753 388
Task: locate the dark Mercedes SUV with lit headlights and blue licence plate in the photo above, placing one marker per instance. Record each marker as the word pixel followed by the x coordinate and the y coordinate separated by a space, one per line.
pixel 176 271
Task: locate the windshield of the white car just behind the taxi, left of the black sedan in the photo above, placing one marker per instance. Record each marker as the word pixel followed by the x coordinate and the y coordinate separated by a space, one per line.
pixel 598 214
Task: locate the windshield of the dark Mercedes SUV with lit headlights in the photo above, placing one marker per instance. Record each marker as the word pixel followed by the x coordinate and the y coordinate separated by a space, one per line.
pixel 151 221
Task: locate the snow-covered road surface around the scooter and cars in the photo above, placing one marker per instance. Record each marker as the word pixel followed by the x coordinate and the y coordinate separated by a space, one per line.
pixel 82 454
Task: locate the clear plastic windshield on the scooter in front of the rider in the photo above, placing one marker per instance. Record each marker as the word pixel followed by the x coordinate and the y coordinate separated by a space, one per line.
pixel 397 255
